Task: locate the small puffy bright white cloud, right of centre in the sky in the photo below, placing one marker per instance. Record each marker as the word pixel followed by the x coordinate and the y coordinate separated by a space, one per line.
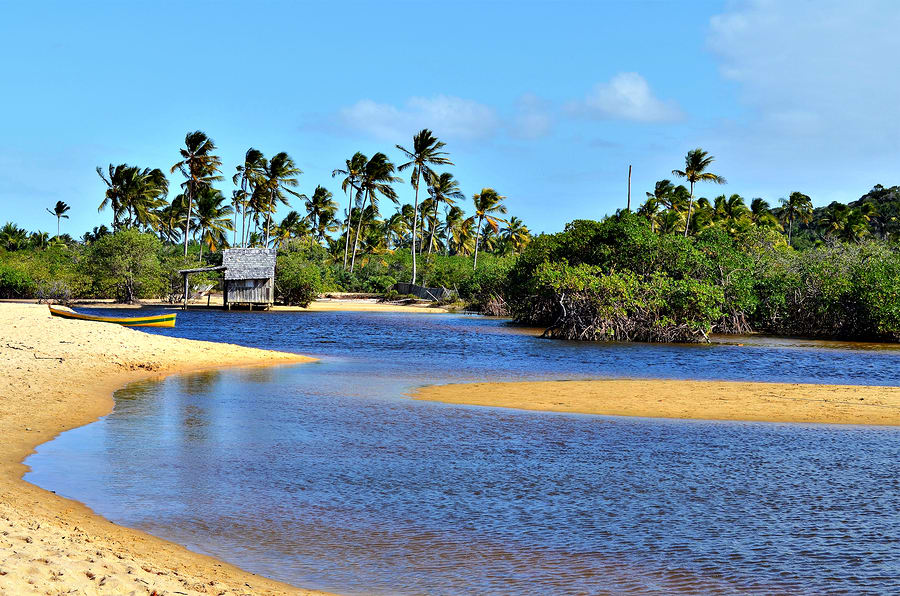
pixel 627 96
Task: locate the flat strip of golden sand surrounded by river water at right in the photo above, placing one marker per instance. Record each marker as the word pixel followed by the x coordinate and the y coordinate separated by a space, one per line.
pixel 707 400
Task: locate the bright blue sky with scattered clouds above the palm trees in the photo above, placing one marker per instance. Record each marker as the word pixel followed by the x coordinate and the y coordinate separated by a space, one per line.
pixel 548 102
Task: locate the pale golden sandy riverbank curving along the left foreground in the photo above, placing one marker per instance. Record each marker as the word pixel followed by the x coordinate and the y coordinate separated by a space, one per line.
pixel 57 374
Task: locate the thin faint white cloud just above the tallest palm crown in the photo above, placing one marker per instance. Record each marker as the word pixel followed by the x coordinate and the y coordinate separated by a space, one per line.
pixel 447 116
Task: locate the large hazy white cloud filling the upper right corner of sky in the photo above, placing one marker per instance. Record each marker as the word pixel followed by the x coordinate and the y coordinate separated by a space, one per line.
pixel 818 83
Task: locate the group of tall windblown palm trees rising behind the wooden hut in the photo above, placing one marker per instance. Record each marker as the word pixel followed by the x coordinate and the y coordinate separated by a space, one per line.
pixel 137 198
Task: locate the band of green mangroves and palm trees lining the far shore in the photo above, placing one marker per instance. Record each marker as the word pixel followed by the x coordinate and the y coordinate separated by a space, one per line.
pixel 677 269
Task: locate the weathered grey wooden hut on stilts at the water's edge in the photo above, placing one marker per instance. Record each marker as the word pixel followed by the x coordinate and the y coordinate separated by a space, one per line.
pixel 249 276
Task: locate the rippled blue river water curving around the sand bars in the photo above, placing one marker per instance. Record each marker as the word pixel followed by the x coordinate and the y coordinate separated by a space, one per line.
pixel 325 476
